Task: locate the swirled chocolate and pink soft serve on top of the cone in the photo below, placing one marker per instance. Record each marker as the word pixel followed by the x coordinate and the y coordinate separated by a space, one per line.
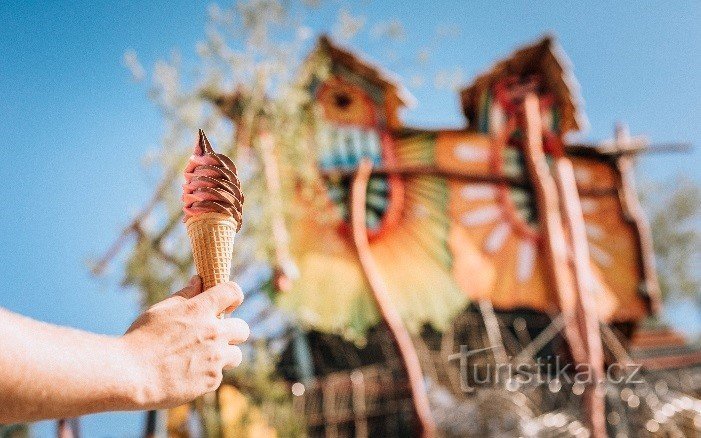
pixel 211 184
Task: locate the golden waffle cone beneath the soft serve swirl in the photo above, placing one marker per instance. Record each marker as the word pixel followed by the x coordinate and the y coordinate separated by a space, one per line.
pixel 212 240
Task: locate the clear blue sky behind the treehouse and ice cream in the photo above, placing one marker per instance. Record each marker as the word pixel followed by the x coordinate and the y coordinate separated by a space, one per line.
pixel 74 126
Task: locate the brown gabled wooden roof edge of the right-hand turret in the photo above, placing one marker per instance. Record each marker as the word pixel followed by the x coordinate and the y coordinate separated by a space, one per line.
pixel 544 57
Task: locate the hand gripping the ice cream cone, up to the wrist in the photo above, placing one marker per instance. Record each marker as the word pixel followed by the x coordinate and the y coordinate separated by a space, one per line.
pixel 180 347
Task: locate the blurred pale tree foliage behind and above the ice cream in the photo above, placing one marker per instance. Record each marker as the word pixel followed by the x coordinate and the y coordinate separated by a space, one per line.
pixel 160 258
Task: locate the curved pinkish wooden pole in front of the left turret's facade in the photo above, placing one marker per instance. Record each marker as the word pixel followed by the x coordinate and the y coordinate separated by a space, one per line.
pixel 389 314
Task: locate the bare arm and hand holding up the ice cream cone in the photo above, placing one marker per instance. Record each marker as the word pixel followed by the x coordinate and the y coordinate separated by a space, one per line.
pixel 172 353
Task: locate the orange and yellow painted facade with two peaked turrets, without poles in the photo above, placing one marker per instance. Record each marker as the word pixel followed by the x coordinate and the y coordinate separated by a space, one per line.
pixel 451 214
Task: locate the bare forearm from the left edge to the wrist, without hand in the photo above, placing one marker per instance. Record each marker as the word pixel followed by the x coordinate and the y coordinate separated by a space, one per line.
pixel 50 372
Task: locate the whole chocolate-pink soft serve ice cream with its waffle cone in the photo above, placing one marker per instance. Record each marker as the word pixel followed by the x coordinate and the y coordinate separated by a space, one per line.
pixel 213 204
